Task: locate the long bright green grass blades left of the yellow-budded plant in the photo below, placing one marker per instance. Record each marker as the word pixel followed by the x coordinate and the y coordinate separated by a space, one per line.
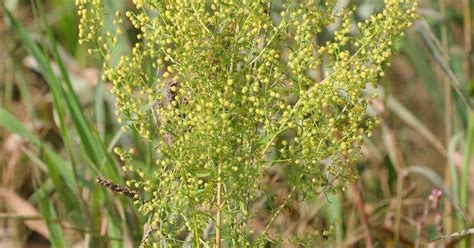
pixel 87 157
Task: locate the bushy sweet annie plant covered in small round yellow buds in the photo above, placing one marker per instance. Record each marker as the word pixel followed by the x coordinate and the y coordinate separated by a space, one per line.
pixel 227 89
